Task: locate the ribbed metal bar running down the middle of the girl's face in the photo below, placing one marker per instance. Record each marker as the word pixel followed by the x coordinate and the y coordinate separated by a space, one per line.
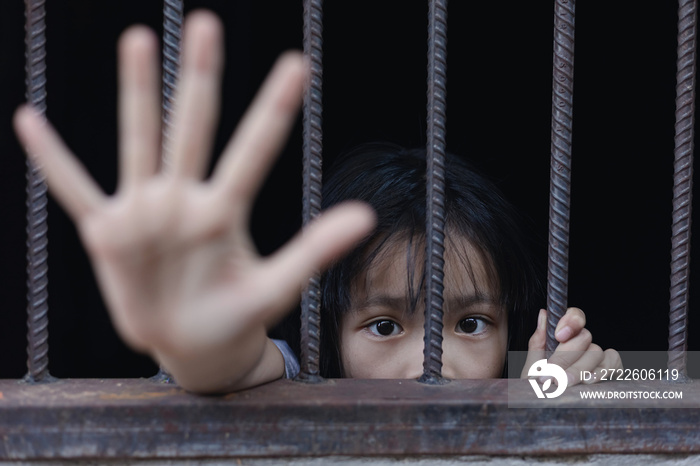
pixel 435 195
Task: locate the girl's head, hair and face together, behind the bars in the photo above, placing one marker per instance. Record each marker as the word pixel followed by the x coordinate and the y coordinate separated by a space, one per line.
pixel 374 298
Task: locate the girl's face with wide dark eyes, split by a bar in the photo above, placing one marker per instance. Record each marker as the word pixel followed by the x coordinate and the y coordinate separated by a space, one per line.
pixel 380 338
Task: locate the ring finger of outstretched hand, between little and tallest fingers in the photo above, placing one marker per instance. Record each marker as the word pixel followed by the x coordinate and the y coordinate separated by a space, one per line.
pixel 139 105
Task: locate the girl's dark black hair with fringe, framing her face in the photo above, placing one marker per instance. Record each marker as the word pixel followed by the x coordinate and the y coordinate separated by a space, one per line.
pixel 392 180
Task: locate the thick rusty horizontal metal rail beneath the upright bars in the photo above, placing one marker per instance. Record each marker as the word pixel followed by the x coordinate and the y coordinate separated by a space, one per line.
pixel 139 419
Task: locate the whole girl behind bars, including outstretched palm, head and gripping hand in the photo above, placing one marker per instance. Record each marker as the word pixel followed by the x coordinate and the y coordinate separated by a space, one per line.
pixel 182 279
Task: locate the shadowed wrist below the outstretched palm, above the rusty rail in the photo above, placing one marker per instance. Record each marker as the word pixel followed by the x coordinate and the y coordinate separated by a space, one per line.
pixel 228 368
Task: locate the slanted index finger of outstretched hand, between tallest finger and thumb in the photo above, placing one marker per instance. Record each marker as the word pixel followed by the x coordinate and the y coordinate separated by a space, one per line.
pixel 263 131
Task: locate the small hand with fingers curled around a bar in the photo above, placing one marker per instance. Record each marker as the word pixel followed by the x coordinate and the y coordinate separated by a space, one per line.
pixel 576 351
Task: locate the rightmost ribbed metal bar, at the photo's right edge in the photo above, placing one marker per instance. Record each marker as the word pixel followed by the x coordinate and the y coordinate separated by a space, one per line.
pixel 682 187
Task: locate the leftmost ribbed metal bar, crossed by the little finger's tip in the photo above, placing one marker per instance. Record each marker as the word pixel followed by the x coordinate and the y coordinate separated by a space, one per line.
pixel 37 224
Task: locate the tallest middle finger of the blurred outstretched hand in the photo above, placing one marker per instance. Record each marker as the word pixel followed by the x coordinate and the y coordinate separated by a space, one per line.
pixel 197 101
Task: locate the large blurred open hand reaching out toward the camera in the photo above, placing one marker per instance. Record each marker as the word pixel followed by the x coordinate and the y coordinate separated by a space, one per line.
pixel 172 252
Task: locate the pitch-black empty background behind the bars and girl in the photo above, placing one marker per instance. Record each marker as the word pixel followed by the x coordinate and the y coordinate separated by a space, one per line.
pixel 499 101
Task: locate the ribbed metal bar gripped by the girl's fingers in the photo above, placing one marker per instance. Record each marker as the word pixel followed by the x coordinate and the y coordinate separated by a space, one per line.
pixel 560 172
